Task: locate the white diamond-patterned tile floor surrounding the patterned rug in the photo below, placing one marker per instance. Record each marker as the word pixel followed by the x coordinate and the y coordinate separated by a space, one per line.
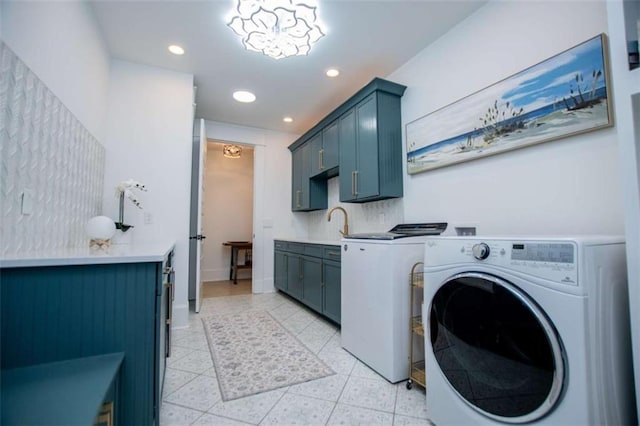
pixel 355 395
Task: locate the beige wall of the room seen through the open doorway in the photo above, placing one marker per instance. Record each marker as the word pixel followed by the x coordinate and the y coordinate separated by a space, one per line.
pixel 228 210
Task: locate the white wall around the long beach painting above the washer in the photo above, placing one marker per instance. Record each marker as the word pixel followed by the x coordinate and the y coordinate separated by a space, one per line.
pixel 568 186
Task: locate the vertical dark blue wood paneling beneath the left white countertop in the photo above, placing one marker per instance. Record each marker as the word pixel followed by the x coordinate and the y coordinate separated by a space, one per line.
pixel 56 313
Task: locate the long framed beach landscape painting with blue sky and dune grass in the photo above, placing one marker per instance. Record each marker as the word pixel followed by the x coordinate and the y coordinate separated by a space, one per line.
pixel 565 95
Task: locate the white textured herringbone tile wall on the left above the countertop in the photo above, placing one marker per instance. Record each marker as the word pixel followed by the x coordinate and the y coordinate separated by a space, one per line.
pixel 46 152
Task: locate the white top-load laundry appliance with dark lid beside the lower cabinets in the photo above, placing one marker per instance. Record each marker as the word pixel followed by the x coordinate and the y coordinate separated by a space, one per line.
pixel 375 309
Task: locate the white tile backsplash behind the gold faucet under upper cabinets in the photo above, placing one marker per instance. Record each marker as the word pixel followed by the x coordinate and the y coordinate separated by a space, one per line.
pixel 376 216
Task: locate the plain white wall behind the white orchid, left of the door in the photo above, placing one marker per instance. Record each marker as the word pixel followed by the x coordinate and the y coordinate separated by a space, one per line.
pixel 148 138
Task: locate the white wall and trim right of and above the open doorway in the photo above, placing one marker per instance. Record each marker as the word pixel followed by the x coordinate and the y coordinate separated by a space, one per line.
pixel 272 191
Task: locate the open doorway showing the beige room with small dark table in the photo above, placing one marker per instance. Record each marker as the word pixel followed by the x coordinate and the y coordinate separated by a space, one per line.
pixel 228 220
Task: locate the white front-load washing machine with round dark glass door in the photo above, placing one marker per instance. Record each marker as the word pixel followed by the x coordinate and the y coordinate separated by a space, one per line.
pixel 527 330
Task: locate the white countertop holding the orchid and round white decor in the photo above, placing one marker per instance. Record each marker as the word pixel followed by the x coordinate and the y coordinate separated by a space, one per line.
pixel 119 253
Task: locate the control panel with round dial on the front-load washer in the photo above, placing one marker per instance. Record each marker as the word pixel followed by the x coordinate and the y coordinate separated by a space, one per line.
pixel 552 260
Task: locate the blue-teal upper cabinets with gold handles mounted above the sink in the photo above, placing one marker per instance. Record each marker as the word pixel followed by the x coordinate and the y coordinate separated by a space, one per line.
pixel 361 141
